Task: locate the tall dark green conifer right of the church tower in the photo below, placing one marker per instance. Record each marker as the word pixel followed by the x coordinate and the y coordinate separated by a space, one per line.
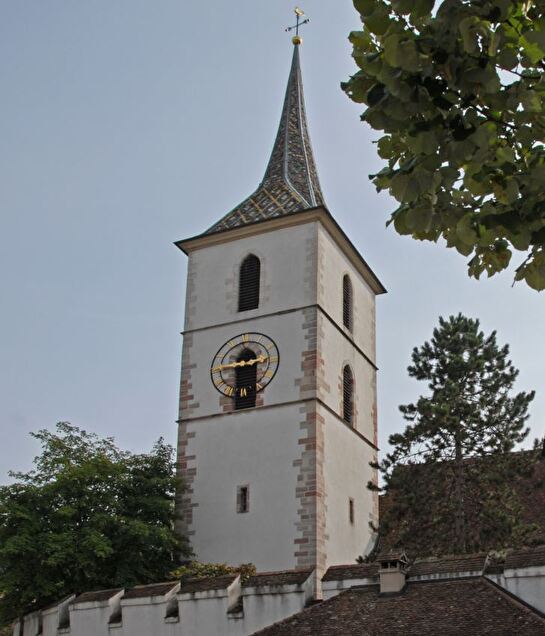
pixel 451 477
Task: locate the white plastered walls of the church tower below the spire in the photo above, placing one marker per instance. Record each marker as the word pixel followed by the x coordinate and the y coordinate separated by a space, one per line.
pixel 291 465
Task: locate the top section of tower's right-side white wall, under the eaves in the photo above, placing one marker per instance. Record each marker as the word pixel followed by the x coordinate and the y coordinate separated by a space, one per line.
pixel 333 266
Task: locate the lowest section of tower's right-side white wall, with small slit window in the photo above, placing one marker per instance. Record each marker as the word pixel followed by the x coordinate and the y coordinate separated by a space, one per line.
pixel 346 473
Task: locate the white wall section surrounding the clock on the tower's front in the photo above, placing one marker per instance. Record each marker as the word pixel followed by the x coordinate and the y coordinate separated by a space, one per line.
pixel 287 332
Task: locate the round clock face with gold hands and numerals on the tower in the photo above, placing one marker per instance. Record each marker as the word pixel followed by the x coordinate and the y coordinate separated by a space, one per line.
pixel 244 365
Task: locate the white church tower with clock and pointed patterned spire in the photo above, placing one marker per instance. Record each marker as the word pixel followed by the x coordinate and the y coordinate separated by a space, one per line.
pixel 278 416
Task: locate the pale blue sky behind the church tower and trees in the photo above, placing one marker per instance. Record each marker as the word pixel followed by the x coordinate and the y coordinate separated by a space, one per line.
pixel 127 125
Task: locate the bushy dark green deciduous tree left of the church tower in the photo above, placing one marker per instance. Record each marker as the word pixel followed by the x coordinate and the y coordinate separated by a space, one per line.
pixel 89 516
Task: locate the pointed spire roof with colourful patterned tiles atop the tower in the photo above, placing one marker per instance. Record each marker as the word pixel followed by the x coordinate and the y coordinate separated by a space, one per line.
pixel 291 181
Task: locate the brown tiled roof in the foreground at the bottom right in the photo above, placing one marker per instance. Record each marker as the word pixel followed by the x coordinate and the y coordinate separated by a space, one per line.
pixel 473 607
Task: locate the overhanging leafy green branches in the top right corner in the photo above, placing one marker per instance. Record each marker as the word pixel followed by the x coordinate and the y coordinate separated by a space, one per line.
pixel 458 91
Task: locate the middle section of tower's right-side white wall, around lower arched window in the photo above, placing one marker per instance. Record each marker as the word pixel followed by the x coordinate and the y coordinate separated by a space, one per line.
pixel 337 351
